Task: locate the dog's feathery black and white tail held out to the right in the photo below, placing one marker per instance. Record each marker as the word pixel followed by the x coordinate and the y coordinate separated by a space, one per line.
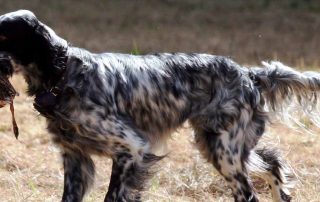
pixel 286 90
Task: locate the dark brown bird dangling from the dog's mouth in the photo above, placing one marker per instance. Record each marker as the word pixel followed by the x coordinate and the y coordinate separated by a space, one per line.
pixel 7 91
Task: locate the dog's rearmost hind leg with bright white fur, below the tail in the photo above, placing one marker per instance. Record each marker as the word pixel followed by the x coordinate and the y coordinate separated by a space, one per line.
pixel 267 164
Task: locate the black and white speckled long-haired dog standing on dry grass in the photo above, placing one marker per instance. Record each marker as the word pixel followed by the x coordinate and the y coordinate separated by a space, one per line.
pixel 125 106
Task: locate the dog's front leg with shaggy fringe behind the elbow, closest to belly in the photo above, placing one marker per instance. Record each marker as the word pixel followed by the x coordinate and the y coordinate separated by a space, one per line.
pixel 132 158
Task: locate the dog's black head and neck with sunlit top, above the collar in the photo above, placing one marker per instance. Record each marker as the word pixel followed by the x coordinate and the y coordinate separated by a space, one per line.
pixel 28 43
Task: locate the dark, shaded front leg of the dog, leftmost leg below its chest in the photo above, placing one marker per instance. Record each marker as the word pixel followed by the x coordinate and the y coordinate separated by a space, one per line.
pixel 78 174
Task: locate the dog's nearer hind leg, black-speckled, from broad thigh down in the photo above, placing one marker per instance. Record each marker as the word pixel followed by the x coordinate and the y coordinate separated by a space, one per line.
pixel 226 138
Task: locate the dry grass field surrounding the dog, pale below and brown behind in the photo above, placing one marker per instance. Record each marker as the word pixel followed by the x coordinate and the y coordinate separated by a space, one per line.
pixel 31 168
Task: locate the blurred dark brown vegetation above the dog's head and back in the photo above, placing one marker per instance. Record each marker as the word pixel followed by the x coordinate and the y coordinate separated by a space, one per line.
pixel 246 30
